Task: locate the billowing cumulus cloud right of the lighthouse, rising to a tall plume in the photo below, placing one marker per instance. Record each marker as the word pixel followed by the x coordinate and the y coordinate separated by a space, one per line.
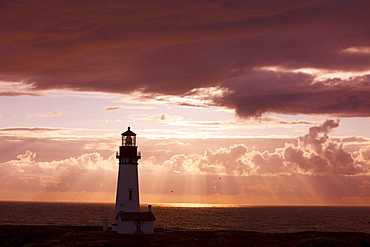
pixel 315 154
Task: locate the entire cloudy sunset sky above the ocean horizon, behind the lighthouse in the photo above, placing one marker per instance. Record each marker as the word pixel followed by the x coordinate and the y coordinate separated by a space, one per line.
pixel 233 102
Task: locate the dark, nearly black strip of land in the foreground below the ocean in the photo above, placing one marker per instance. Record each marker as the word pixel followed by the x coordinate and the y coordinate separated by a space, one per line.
pixel 94 236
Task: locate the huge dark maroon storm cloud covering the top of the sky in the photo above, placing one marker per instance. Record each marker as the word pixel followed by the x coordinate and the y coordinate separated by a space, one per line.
pixel 167 47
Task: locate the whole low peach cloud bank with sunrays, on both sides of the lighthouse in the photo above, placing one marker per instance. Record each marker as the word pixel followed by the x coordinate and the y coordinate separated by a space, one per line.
pixel 312 168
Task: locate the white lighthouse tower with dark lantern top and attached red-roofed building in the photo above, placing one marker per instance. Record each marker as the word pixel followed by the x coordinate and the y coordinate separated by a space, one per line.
pixel 128 219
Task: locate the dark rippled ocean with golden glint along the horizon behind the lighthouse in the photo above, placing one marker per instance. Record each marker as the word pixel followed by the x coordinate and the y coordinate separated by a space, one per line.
pixel 274 219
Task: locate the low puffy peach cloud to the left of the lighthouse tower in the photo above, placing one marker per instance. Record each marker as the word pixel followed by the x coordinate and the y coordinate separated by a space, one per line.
pixel 88 172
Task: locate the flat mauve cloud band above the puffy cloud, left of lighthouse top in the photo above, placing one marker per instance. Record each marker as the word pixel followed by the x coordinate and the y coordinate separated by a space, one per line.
pixel 50 144
